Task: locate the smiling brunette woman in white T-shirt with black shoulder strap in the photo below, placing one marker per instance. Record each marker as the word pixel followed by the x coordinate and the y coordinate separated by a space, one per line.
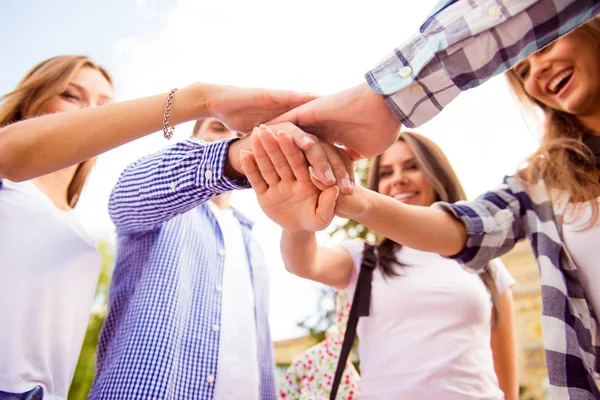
pixel 434 331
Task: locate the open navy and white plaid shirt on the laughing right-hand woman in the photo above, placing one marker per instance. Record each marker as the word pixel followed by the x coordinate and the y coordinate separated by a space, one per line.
pixel 495 222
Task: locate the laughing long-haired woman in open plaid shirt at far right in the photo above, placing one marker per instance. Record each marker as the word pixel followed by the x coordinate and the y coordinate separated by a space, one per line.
pixel 552 201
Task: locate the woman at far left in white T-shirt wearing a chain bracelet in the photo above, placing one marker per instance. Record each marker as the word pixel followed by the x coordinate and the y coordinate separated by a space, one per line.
pixel 53 124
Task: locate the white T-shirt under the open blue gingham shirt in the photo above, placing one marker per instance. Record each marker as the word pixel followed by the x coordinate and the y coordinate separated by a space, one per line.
pixel 237 368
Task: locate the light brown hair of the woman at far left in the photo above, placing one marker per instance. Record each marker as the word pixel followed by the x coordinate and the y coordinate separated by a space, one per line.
pixel 44 81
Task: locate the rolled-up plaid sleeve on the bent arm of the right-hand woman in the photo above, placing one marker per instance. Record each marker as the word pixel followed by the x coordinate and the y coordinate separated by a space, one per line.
pixel 493 222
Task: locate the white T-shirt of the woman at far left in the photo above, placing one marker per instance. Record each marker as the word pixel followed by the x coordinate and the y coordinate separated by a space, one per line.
pixel 49 271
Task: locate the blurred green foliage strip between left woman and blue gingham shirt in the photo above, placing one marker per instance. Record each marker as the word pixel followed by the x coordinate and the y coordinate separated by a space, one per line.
pixel 84 373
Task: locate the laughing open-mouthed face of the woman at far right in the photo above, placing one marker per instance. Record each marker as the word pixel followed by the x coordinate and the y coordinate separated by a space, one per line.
pixel 564 75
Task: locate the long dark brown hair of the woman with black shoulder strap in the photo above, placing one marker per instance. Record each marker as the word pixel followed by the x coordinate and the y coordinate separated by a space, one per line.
pixel 432 161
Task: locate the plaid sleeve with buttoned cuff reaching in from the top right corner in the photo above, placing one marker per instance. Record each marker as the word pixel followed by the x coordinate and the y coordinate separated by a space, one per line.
pixel 462 44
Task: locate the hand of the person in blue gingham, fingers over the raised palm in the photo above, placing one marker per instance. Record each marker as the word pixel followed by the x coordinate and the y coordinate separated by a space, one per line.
pixel 328 163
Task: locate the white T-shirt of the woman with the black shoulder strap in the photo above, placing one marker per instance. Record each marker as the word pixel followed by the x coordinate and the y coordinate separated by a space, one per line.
pixel 428 332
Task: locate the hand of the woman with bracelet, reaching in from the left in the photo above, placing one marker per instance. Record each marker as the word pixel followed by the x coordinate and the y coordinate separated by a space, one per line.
pixel 241 109
